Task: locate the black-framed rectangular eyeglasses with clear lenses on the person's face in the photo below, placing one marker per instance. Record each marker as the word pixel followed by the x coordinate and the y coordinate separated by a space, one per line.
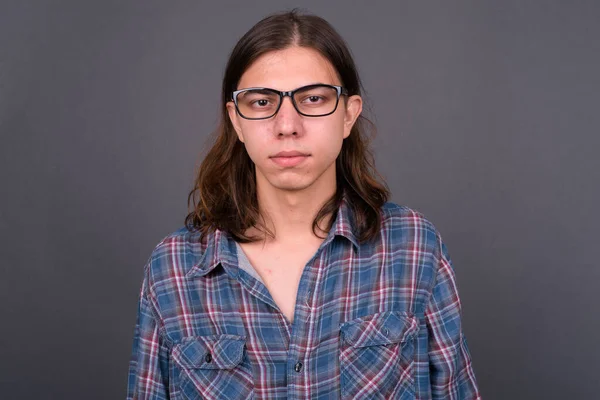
pixel 311 101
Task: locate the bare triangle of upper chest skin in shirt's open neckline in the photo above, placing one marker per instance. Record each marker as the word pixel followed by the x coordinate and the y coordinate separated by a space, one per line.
pixel 280 268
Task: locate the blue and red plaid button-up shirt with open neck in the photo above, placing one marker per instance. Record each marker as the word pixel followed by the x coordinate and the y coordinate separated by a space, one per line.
pixel 377 320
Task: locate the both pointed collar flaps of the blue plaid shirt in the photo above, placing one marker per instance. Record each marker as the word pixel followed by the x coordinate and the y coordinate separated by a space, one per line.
pixel 220 246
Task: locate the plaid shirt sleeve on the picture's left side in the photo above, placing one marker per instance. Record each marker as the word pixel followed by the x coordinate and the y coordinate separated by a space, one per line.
pixel 149 365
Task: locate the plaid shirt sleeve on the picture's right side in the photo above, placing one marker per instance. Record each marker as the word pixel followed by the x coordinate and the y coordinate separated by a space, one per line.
pixel 451 370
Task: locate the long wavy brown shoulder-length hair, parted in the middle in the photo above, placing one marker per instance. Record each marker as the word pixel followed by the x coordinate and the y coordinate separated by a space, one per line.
pixel 224 194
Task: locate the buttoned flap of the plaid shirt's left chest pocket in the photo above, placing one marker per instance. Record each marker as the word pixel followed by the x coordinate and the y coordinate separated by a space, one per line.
pixel 210 352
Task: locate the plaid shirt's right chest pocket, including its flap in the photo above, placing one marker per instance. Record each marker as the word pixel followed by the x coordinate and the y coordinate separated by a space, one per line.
pixel 377 356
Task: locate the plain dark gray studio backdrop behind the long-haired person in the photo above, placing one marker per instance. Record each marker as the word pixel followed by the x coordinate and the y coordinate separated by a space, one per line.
pixel 488 117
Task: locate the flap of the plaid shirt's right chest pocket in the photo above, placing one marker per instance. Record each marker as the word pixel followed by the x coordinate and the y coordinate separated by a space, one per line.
pixel 380 328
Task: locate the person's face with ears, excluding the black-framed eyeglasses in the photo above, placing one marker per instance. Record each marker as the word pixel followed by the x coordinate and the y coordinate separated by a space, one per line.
pixel 292 152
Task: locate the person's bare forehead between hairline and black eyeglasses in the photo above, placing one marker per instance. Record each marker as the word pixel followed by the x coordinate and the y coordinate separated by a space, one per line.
pixel 288 69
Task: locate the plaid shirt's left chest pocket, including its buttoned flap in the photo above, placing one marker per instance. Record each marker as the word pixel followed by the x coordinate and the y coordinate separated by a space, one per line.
pixel 212 367
